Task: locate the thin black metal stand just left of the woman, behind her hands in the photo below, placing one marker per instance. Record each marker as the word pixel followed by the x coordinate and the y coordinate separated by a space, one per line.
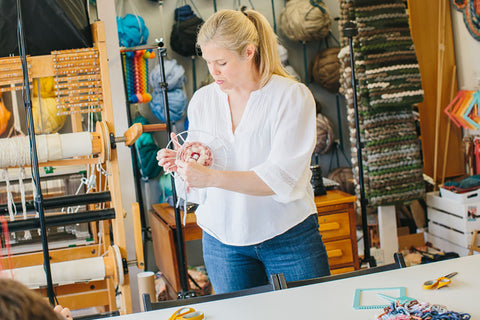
pixel 182 268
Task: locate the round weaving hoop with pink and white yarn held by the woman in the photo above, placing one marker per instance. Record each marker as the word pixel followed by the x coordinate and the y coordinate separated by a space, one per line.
pixel 215 152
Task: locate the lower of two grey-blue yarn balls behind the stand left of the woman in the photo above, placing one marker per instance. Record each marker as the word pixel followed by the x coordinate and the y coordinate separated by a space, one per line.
pixel 177 103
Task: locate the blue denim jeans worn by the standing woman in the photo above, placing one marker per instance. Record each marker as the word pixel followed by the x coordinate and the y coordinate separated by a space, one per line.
pixel 298 253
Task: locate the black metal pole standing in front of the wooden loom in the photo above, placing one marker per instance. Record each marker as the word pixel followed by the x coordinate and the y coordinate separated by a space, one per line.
pixel 34 159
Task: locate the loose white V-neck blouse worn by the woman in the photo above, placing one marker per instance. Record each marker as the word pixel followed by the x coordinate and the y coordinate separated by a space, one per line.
pixel 275 138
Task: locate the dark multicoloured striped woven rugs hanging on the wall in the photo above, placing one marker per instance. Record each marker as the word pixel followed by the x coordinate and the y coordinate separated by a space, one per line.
pixel 388 84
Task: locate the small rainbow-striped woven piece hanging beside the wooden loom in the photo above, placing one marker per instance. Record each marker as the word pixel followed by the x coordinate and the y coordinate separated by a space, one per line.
pixel 135 69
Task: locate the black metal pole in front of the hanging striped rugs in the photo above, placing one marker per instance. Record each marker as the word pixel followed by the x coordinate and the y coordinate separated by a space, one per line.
pixel 350 30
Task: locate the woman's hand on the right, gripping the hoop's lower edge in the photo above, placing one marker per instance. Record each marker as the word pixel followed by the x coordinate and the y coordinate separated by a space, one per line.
pixel 194 174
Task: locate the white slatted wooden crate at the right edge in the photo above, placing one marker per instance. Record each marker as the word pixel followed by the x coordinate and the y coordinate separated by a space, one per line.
pixel 452 221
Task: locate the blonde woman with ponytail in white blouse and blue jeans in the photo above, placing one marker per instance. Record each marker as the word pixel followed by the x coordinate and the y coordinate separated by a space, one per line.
pixel 258 215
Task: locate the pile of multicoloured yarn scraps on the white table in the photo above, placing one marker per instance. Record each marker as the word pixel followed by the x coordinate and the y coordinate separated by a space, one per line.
pixel 415 310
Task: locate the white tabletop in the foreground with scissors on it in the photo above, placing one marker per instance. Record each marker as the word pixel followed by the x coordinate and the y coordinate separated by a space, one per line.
pixel 334 299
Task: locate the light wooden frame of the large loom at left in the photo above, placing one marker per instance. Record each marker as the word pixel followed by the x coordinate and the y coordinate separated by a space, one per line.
pixel 101 293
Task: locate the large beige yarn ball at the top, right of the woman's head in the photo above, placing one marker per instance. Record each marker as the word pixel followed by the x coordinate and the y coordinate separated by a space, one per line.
pixel 304 20
